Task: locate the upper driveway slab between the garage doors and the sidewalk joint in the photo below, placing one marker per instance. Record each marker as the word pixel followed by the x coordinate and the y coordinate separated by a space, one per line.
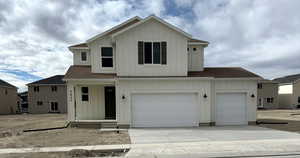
pixel 228 133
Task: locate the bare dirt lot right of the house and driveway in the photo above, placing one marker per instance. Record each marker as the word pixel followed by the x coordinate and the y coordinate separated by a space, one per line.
pixel 286 120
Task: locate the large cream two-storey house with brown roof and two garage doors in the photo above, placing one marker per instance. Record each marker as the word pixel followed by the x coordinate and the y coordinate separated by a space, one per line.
pixel 149 73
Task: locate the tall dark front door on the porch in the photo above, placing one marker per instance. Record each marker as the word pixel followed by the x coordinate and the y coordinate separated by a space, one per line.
pixel 110 102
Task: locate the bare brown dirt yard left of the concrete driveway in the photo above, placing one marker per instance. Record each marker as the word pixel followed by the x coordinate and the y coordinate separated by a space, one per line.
pixel 11 127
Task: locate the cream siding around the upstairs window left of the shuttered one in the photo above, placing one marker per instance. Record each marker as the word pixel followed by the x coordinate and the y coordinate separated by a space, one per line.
pixel 96 61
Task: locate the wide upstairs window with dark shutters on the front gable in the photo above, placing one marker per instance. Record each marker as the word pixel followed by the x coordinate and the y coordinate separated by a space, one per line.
pixel 152 52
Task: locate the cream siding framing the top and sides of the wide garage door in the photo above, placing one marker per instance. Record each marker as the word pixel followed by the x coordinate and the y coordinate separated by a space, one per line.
pixel 129 87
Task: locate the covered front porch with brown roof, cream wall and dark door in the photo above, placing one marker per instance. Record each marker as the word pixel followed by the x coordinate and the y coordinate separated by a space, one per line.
pixel 91 97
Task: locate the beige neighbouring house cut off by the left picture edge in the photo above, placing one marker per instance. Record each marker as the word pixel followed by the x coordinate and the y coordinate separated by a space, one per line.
pixel 8 98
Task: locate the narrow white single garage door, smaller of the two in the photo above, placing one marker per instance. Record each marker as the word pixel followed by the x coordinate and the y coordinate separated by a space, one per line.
pixel 231 109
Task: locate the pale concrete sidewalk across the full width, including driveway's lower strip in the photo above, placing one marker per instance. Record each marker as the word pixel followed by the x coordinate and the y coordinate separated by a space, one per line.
pixel 290 147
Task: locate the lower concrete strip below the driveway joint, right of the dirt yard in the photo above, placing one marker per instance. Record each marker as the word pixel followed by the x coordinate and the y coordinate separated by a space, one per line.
pixel 283 147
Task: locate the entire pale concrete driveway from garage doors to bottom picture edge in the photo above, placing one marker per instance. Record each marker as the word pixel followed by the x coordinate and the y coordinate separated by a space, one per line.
pixel 213 142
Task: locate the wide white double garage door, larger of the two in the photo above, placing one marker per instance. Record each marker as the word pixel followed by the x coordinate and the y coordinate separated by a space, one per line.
pixel 165 110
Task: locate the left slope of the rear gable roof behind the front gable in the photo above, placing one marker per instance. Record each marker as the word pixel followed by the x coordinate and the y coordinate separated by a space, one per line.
pixel 116 28
